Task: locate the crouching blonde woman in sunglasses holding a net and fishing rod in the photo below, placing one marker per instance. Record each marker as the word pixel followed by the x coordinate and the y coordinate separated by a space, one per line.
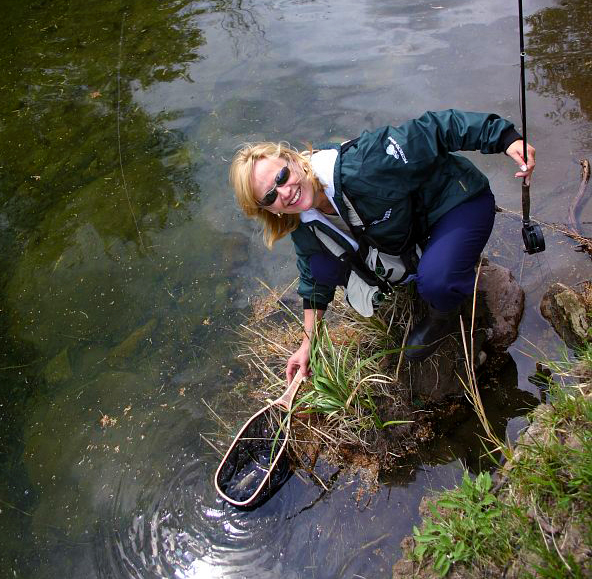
pixel 362 213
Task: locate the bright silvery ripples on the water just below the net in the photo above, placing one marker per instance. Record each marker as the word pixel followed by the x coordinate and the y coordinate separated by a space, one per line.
pixel 186 531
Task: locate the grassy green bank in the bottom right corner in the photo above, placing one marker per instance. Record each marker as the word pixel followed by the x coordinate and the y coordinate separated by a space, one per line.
pixel 537 523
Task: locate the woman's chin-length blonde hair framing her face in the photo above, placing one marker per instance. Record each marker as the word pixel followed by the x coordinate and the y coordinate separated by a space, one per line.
pixel 241 179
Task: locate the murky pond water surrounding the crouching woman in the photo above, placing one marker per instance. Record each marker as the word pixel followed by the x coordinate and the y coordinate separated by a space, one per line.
pixel 125 265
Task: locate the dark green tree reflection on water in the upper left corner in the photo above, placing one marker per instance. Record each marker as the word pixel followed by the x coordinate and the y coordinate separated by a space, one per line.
pixel 67 194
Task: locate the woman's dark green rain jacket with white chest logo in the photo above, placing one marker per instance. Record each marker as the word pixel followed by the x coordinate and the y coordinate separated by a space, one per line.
pixel 400 181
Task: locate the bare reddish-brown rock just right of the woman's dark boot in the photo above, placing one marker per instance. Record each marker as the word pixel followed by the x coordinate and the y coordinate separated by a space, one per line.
pixel 504 299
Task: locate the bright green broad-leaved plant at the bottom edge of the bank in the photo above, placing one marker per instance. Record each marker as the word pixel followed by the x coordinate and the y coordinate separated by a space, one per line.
pixel 461 524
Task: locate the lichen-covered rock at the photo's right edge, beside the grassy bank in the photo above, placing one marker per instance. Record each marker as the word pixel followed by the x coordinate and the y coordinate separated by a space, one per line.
pixel 566 310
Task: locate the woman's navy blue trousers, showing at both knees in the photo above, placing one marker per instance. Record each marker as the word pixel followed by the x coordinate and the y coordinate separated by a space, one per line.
pixel 446 272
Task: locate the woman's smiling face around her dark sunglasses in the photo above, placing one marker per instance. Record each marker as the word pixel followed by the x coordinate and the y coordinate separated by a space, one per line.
pixel 294 196
